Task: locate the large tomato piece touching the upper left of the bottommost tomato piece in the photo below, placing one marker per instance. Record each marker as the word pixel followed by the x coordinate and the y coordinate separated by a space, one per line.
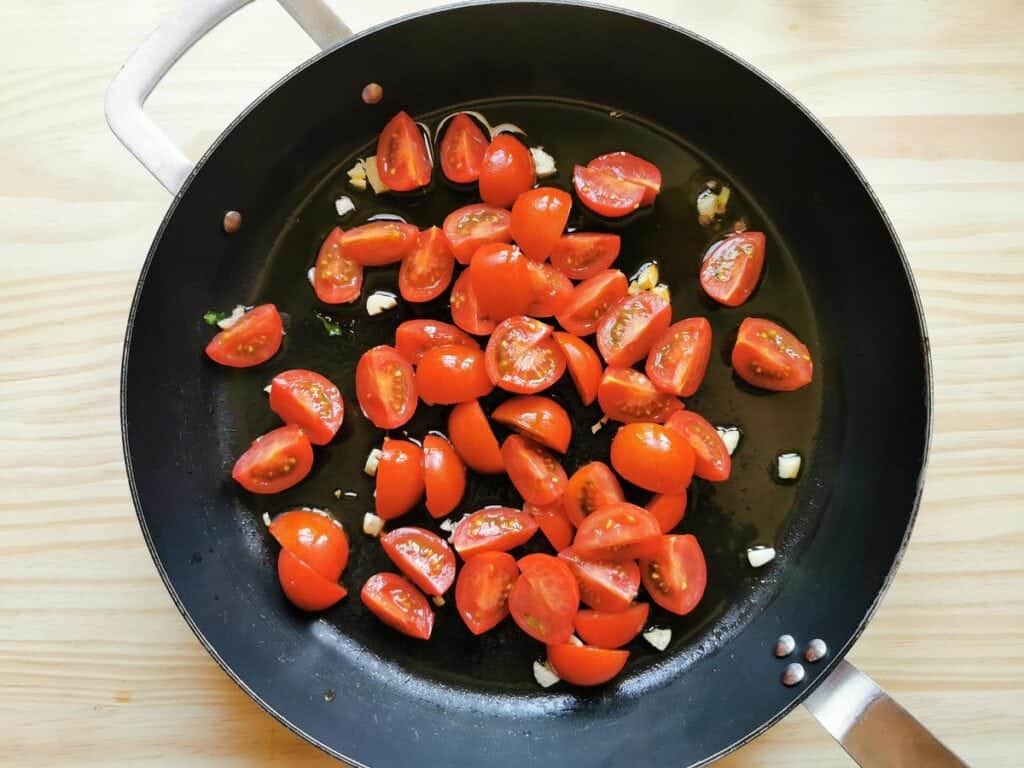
pixel 545 599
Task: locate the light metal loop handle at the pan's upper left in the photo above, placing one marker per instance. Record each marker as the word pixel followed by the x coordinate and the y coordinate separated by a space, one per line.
pixel 147 67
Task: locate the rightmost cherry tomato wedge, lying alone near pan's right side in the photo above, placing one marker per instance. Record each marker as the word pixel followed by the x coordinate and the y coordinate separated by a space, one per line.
pixel 770 357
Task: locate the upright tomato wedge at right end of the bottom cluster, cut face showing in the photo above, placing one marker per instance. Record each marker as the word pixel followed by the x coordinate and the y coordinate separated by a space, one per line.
pixel 676 575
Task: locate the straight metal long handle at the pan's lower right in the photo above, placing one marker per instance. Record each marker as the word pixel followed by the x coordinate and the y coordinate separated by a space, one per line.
pixel 875 731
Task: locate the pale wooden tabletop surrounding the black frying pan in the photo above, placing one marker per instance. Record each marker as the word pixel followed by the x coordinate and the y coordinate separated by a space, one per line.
pixel 97 667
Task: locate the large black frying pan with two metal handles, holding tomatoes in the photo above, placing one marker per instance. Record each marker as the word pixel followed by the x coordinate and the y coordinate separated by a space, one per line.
pixel 836 276
